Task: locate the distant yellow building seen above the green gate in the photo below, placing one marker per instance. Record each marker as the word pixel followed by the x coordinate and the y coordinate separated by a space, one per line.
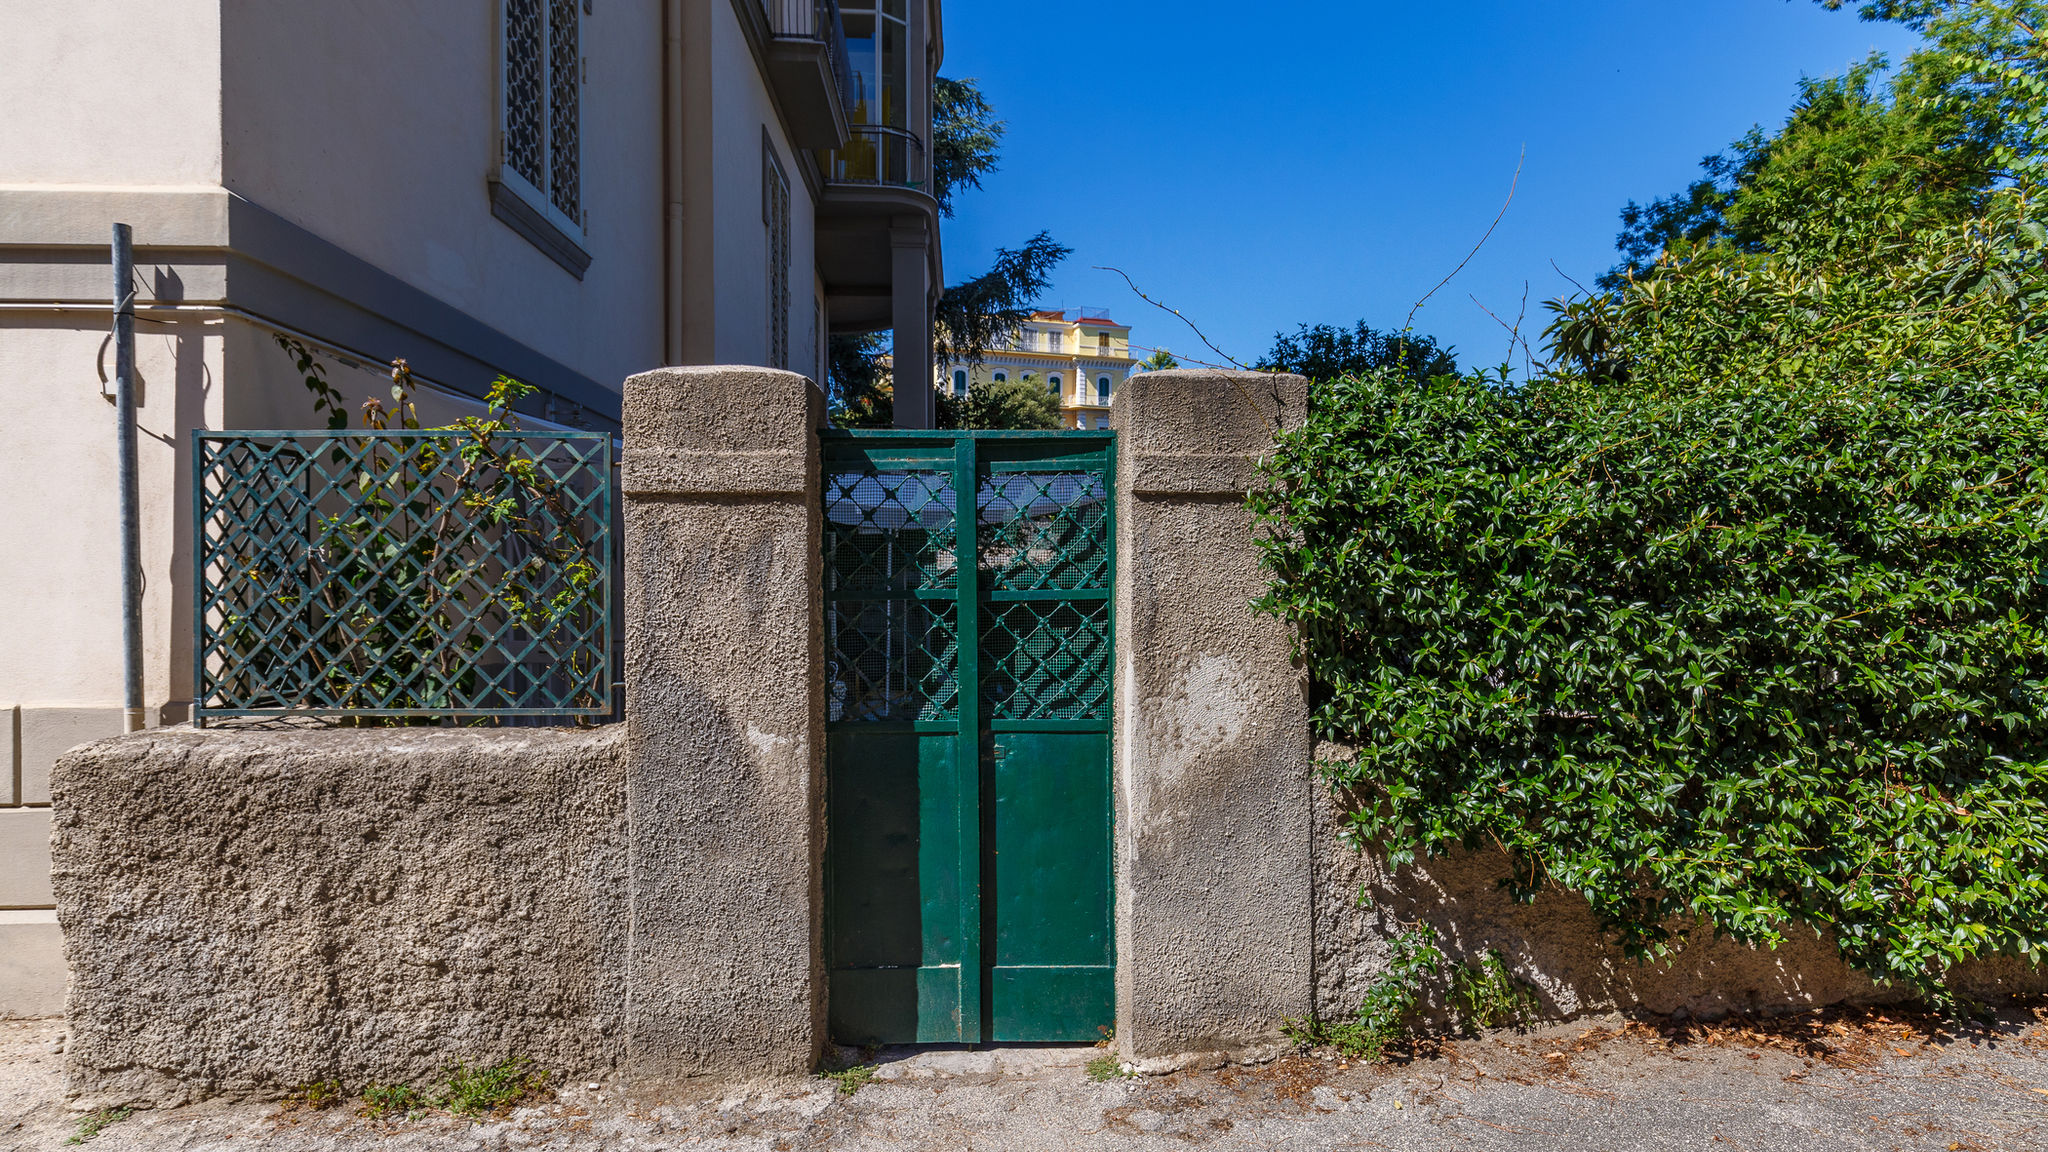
pixel 1080 356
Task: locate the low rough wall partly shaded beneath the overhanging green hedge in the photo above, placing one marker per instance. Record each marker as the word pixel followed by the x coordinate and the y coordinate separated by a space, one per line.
pixel 1560 950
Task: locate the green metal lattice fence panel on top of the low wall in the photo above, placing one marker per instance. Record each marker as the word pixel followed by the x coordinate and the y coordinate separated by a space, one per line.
pixel 402 575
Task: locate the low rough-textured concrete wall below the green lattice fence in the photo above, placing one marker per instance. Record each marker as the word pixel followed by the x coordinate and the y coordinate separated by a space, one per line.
pixel 249 911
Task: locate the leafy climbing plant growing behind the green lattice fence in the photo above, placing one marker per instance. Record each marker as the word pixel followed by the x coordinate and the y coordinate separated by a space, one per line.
pixel 419 565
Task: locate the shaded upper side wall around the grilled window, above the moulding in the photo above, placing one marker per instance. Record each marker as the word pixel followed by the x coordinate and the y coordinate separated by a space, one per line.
pixel 372 124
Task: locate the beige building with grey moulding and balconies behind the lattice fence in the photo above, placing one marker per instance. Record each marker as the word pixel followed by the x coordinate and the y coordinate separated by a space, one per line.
pixel 566 192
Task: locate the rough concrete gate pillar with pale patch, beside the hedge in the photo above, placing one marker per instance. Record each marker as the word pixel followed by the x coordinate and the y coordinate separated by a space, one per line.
pixel 1213 753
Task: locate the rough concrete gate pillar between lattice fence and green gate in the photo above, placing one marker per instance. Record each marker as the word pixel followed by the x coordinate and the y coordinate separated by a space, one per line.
pixel 724 723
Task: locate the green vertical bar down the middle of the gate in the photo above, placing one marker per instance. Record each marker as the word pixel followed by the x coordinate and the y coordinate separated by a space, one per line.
pixel 968 585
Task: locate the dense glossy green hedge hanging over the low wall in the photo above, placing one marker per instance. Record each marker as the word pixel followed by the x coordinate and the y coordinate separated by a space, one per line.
pixel 1754 655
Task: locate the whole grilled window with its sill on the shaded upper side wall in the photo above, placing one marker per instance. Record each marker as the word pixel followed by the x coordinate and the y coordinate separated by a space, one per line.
pixel 540 186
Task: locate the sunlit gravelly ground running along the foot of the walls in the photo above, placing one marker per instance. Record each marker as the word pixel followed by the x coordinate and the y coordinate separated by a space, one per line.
pixel 1865 1081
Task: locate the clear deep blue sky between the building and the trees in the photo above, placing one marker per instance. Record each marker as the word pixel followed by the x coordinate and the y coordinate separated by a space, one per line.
pixel 1330 161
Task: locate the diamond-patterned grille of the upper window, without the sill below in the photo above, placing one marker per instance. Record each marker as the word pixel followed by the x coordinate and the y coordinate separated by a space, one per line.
pixel 544 101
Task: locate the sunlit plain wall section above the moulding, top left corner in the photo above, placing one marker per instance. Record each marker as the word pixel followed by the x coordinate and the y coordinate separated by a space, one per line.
pixel 112 93
